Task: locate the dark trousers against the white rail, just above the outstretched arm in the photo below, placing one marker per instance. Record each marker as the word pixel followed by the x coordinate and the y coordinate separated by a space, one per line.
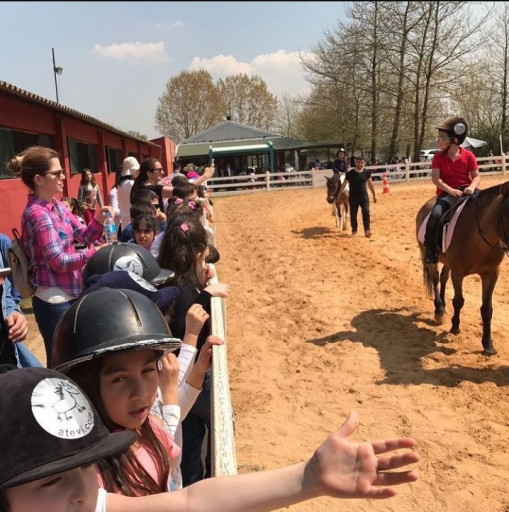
pixel 194 428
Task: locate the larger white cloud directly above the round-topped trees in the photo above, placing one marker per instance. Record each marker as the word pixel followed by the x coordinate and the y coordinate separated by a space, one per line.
pixel 282 70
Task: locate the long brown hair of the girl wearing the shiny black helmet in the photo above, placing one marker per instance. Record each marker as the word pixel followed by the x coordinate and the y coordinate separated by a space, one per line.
pixel 123 472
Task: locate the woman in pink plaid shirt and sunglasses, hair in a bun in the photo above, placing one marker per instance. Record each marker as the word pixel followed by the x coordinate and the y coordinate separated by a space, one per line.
pixel 49 230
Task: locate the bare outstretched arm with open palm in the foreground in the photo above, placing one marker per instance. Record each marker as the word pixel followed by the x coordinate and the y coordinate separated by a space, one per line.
pixel 338 468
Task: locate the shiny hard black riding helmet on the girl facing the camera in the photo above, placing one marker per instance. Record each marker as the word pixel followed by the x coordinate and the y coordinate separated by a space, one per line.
pixel 109 320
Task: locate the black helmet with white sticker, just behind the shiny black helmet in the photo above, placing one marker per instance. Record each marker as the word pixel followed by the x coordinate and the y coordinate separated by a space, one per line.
pixel 129 257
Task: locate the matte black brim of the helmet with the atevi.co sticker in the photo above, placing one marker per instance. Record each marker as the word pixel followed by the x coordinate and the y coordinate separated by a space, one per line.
pixel 113 444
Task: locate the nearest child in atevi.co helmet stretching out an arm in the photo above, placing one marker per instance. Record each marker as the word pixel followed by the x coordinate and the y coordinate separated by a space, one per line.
pixel 56 471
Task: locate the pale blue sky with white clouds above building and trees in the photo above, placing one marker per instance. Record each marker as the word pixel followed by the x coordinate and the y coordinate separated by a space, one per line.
pixel 117 56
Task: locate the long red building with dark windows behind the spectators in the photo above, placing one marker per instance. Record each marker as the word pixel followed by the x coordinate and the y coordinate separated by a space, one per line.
pixel 82 141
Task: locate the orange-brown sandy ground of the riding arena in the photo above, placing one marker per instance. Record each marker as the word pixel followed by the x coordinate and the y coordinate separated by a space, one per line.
pixel 320 322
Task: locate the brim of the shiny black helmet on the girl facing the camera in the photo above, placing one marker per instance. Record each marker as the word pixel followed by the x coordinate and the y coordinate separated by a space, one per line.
pixel 163 343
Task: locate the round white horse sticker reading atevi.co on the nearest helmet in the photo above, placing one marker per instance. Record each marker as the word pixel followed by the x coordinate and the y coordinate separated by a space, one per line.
pixel 61 409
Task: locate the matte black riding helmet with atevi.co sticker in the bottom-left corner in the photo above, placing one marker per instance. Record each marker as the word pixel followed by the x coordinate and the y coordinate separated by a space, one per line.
pixel 50 426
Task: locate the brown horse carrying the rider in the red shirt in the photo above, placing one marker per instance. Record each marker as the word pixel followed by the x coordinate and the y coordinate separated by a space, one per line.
pixel 478 245
